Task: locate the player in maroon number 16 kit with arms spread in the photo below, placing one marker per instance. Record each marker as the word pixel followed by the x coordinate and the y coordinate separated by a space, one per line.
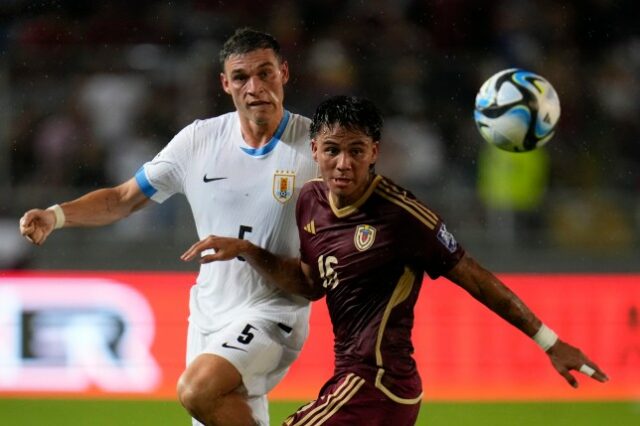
pixel 365 245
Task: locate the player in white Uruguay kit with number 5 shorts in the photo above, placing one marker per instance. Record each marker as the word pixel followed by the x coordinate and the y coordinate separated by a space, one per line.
pixel 241 173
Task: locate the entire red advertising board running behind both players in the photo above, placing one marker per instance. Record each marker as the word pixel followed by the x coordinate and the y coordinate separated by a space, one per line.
pixel 106 334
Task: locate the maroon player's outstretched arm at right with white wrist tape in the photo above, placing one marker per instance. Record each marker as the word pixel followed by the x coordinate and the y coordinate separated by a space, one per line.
pixel 490 291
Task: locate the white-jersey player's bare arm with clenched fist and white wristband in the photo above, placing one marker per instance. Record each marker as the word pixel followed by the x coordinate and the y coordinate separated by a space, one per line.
pixel 100 207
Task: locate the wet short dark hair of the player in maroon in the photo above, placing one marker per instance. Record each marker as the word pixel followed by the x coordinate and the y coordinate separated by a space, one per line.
pixel 349 112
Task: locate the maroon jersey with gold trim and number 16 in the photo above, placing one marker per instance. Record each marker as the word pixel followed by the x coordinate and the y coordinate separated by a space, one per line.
pixel 370 258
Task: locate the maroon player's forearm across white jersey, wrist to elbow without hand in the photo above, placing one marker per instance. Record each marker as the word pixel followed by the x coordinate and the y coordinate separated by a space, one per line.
pixel 285 273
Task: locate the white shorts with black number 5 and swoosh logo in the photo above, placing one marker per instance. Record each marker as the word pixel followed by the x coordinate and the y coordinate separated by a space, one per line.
pixel 261 350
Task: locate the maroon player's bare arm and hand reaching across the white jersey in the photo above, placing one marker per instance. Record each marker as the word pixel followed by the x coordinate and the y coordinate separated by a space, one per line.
pixel 289 274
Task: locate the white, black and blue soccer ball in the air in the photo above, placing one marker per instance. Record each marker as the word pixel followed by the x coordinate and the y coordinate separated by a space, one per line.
pixel 517 110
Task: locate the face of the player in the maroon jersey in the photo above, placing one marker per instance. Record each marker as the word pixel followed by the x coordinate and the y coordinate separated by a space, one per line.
pixel 345 157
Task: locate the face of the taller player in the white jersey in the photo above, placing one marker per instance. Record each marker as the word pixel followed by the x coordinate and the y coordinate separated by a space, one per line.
pixel 255 81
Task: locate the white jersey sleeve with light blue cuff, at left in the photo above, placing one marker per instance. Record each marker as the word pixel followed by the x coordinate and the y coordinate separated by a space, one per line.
pixel 164 176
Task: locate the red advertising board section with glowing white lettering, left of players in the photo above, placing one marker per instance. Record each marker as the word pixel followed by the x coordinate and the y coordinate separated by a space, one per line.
pixel 92 333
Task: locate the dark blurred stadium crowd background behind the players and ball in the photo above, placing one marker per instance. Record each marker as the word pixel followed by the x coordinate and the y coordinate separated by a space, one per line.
pixel 91 90
